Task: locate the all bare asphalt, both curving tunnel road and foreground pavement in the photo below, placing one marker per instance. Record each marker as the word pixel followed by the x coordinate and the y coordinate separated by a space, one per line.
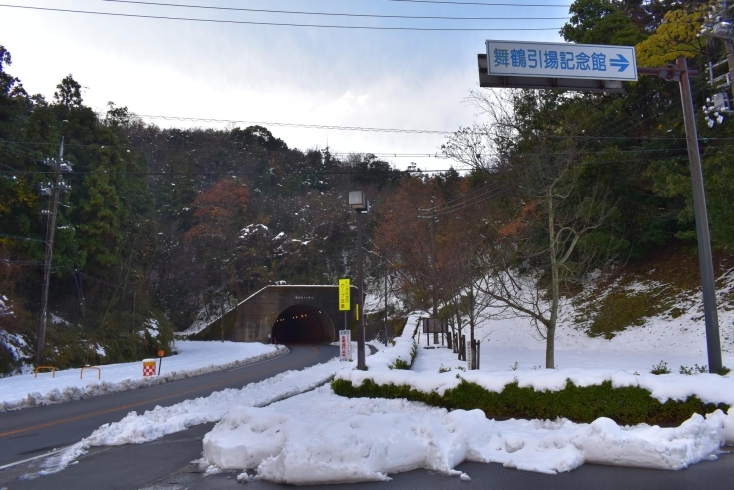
pixel 167 462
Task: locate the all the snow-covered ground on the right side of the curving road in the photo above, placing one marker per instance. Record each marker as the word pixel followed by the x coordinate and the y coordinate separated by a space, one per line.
pixel 293 429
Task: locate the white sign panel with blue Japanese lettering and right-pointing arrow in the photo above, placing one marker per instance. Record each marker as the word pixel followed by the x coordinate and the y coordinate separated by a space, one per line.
pixel 560 60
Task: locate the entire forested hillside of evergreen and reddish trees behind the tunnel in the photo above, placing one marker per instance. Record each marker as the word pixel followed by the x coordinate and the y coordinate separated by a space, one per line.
pixel 165 227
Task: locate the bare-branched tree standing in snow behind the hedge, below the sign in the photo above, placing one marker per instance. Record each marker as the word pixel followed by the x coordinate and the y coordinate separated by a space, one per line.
pixel 551 229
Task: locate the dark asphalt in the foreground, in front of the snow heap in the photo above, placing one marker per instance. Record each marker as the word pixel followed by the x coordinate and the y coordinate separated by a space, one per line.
pixel 129 468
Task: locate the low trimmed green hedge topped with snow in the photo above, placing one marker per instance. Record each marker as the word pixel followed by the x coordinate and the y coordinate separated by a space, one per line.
pixel 627 405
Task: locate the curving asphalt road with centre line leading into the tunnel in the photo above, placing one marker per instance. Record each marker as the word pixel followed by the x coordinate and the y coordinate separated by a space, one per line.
pixel 33 432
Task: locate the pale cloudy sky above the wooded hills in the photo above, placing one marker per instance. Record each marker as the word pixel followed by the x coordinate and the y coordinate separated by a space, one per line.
pixel 268 73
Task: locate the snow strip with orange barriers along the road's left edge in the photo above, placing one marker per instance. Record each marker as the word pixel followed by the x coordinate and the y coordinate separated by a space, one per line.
pixel 193 359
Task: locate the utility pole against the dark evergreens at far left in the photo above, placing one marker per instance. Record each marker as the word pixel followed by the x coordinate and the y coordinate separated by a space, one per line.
pixel 58 165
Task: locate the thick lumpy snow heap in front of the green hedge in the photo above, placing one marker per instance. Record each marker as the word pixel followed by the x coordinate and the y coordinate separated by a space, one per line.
pixel 319 437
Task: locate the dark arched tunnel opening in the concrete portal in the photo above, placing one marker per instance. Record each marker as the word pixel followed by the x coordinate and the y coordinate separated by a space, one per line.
pixel 302 324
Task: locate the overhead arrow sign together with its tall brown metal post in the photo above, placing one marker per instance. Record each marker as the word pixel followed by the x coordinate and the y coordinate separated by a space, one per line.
pixel 584 67
